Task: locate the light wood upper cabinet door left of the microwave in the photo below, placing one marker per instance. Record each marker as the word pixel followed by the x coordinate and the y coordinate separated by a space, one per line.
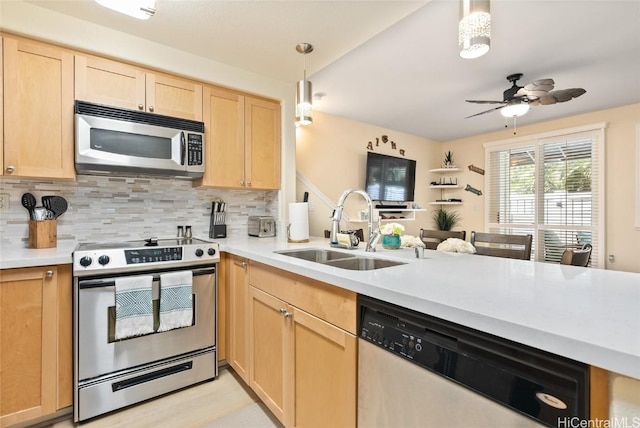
pixel 38 110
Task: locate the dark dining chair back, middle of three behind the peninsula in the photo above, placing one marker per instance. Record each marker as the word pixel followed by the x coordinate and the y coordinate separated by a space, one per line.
pixel 502 245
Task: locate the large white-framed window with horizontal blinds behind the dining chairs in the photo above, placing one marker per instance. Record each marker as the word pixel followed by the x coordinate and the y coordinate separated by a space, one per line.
pixel 551 186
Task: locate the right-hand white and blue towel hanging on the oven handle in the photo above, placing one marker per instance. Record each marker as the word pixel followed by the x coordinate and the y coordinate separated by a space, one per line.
pixel 176 304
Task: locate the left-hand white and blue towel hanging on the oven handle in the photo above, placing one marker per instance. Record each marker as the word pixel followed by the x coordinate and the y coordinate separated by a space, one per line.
pixel 134 308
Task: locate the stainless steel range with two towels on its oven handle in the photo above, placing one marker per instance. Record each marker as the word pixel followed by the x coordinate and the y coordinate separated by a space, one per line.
pixel 145 320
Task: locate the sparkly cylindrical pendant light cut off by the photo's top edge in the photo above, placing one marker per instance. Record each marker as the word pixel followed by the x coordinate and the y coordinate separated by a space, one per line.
pixel 474 29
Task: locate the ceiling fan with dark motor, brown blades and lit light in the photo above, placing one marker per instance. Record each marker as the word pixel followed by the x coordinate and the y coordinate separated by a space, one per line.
pixel 517 99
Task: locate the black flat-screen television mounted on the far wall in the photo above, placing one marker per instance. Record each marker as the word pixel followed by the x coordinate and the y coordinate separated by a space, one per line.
pixel 390 179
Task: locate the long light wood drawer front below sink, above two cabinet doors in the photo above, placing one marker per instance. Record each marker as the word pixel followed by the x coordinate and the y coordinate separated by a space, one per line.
pixel 329 303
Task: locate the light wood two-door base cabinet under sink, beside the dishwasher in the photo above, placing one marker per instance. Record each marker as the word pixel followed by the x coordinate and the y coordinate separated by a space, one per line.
pixel 303 367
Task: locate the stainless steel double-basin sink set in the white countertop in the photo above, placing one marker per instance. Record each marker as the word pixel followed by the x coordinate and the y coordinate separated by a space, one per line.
pixel 339 259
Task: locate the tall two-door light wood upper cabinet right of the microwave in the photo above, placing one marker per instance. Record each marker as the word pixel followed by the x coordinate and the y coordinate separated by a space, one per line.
pixel 242 141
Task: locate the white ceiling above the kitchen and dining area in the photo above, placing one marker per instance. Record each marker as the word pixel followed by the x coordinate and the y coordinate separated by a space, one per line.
pixel 395 63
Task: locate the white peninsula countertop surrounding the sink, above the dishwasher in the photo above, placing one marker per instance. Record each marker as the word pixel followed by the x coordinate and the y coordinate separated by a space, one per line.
pixel 589 315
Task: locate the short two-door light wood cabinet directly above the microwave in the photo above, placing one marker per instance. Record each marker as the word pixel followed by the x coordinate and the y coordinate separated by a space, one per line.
pixel 116 84
